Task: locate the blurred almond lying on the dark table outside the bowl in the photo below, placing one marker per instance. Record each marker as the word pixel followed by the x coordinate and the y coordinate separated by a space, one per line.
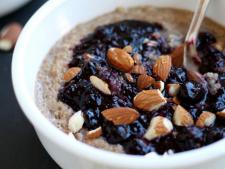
pixel 9 35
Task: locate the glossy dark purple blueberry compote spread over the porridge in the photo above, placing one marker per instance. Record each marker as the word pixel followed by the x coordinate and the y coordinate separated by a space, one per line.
pixel 149 40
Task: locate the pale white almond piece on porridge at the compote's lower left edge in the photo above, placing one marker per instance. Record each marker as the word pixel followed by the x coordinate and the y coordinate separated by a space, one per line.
pixel 76 122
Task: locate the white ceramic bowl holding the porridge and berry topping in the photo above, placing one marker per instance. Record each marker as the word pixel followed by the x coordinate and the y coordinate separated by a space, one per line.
pixel 50 23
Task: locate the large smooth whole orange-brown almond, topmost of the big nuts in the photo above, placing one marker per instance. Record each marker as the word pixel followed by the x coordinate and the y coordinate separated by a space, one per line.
pixel 120 59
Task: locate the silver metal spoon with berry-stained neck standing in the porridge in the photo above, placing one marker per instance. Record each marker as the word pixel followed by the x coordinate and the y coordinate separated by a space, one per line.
pixel 190 58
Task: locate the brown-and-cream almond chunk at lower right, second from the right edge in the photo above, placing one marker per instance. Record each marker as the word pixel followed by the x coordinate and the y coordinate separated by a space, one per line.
pixel 206 119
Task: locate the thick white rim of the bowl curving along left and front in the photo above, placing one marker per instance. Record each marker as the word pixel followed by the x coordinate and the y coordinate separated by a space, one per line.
pixel 78 148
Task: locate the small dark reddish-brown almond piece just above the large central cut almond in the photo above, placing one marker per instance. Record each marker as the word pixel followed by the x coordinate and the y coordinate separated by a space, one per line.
pixel 144 81
